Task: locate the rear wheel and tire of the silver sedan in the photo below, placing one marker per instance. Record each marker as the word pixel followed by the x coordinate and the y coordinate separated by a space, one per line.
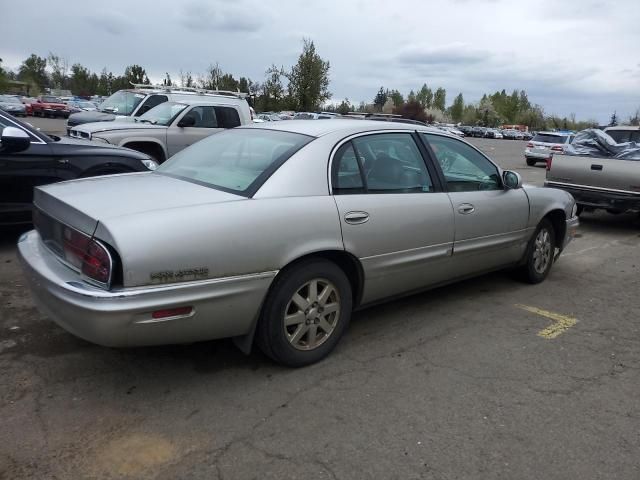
pixel 295 310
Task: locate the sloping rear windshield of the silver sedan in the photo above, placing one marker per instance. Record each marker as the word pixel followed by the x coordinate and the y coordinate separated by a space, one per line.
pixel 237 161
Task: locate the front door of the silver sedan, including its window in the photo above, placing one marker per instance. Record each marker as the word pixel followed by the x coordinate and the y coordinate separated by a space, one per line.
pixel 490 220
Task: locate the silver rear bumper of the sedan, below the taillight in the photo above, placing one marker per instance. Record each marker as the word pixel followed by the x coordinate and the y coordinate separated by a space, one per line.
pixel 224 307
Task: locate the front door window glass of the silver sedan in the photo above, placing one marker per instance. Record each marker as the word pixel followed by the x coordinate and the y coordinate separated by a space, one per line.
pixel 464 168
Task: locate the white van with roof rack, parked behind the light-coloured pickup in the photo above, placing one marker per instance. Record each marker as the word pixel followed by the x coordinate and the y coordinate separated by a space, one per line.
pixel 136 101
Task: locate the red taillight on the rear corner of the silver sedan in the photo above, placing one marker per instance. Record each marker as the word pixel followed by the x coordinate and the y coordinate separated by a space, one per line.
pixel 88 255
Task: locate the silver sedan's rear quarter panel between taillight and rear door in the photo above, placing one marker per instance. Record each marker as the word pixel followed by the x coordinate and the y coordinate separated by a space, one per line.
pixel 227 239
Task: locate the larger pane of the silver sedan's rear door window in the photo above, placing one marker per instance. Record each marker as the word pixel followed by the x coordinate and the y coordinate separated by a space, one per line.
pixel 392 163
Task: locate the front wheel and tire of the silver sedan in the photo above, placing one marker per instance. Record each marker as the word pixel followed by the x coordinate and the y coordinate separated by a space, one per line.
pixel 540 254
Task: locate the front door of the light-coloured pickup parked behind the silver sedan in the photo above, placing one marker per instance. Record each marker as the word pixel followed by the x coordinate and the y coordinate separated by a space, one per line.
pixel 205 124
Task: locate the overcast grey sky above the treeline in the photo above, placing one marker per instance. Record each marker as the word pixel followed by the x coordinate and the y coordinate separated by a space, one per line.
pixel 579 56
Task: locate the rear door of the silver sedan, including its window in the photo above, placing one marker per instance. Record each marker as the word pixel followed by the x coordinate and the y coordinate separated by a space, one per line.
pixel 394 217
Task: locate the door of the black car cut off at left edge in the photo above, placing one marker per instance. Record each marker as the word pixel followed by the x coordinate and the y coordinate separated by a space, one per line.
pixel 20 172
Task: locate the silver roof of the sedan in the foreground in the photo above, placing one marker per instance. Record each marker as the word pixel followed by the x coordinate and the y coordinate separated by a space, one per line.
pixel 318 128
